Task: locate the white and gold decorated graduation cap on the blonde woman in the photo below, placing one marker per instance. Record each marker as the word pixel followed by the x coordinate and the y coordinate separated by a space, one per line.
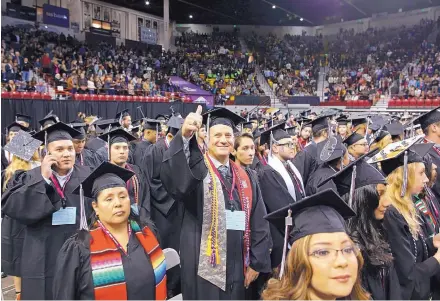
pixel 399 154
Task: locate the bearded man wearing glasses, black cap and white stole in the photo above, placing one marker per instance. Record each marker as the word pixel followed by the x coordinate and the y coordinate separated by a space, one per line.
pixel 280 181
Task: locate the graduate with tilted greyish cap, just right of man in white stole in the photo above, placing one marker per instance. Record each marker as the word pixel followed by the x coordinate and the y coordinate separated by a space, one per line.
pixel 332 156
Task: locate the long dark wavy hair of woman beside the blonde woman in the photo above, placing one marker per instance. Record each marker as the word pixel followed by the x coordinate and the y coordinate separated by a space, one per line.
pixel 368 232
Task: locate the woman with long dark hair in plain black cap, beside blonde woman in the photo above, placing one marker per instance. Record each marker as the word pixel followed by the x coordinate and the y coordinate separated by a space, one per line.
pixel 367 199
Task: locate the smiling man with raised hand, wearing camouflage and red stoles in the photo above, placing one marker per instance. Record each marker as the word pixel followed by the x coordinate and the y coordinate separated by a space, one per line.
pixel 208 272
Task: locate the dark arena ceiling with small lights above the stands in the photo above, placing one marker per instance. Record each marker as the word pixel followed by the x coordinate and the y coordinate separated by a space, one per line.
pixel 260 12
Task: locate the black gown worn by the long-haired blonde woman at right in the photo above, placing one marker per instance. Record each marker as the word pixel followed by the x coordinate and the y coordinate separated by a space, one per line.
pixel 415 268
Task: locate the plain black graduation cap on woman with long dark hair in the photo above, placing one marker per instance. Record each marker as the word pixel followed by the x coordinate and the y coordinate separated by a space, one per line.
pixel 355 175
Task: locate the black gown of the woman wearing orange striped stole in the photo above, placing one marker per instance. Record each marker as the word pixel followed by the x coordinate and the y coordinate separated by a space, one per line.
pixel 73 273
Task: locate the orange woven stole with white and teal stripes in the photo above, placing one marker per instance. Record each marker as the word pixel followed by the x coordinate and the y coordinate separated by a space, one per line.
pixel 108 271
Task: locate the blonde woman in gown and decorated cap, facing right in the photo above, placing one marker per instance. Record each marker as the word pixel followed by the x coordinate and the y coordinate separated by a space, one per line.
pixel 415 258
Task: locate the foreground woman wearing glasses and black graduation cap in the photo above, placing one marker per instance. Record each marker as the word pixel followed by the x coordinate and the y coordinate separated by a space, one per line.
pixel 323 262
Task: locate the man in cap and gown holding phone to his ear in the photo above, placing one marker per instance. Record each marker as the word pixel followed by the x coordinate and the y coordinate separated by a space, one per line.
pixel 44 202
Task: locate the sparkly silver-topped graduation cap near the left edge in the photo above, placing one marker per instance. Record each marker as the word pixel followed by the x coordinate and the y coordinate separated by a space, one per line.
pixel 23 145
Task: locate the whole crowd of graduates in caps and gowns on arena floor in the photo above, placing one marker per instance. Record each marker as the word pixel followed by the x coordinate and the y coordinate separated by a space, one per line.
pixel 332 206
